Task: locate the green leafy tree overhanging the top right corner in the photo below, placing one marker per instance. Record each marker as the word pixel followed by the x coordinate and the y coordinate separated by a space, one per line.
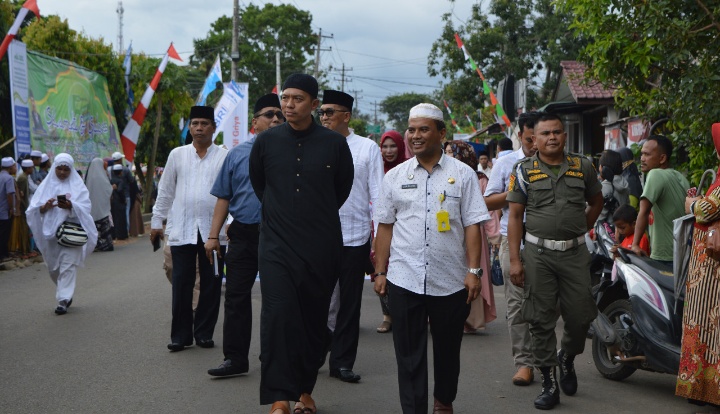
pixel 662 57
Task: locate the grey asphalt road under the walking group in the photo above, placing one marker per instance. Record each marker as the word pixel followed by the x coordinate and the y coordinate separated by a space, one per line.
pixel 109 355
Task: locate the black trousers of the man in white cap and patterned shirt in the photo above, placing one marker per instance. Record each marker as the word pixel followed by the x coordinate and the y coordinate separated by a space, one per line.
pixel 410 313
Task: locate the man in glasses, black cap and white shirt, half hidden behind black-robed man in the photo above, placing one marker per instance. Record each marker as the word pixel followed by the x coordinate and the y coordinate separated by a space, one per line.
pixel 355 220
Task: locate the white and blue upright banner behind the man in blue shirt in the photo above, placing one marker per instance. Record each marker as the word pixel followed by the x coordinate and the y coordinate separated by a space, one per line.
pixel 231 114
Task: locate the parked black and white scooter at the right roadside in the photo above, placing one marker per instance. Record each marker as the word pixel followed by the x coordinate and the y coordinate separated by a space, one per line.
pixel 639 325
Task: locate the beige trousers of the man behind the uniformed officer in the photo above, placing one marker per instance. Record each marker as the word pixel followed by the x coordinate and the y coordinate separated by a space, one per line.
pixel 520 340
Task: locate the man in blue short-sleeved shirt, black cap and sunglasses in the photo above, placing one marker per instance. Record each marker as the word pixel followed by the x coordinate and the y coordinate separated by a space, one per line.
pixel 235 195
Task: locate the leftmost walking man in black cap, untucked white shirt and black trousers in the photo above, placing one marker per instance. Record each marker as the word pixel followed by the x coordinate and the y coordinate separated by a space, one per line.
pixel 184 195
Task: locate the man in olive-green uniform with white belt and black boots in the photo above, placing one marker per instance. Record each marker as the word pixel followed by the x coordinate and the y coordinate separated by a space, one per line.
pixel 551 188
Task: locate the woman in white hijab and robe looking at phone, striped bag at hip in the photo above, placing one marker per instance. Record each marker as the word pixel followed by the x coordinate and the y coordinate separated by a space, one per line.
pixel 46 213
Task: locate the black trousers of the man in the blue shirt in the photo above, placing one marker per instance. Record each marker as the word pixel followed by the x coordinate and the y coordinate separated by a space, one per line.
pixel 242 268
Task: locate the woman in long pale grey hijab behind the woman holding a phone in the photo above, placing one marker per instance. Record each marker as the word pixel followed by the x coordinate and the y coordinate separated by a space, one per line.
pixel 100 190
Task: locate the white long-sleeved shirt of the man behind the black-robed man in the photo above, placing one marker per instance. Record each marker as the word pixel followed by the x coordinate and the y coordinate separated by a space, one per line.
pixel 356 213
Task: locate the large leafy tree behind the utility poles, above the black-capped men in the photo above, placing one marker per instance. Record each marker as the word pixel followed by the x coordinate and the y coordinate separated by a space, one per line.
pixel 261 32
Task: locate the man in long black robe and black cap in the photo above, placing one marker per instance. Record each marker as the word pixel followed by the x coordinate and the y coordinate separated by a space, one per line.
pixel 302 173
